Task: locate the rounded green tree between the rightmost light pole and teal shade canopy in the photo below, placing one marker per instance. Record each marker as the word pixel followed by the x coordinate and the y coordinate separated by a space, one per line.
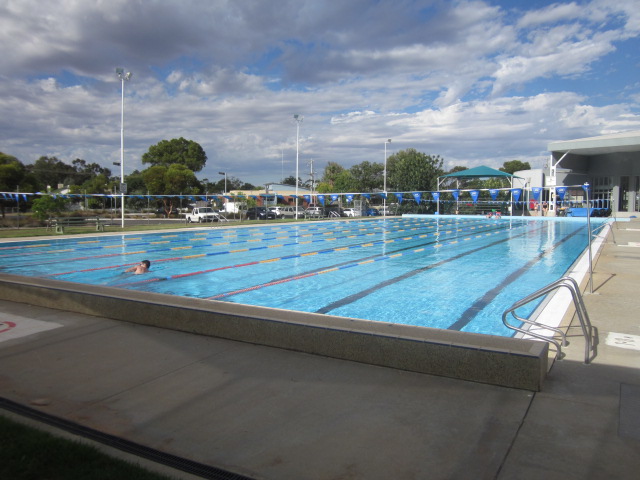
pixel 409 170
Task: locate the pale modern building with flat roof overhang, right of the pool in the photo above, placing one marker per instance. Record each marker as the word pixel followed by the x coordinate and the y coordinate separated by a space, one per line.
pixel 609 163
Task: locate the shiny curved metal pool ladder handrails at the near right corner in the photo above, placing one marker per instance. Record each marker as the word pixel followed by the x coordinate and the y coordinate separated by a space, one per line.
pixel 581 311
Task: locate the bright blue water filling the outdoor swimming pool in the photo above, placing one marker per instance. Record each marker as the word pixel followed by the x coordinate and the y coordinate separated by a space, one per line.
pixel 448 272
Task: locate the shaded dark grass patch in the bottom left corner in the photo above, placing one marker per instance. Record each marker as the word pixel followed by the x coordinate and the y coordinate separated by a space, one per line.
pixel 31 454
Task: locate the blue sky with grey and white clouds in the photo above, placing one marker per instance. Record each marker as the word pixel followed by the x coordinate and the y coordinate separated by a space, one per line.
pixel 476 82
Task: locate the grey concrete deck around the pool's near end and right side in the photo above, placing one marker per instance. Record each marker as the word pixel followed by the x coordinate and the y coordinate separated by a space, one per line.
pixel 269 413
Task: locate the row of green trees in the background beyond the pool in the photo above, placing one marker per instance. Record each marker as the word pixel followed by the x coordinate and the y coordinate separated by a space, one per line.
pixel 173 165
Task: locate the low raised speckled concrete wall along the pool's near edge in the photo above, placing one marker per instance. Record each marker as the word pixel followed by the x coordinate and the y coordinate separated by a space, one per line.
pixel 510 362
